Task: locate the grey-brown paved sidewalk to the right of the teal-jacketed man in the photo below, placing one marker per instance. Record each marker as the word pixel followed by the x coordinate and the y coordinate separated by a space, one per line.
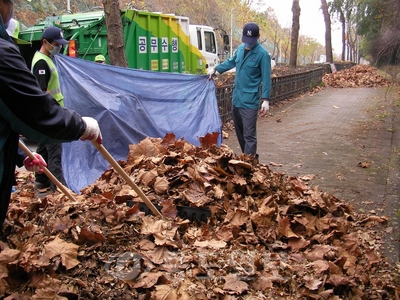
pixel 332 134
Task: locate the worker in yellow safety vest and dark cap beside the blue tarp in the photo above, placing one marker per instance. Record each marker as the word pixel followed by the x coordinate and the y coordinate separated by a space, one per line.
pixel 44 68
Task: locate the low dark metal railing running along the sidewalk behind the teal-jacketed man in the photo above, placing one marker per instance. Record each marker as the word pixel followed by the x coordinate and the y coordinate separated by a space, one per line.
pixel 282 87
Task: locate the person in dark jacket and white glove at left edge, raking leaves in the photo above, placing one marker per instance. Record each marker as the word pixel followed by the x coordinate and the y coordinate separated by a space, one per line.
pixel 25 109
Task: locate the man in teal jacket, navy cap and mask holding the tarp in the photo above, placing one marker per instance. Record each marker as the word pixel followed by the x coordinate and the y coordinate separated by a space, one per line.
pixel 253 67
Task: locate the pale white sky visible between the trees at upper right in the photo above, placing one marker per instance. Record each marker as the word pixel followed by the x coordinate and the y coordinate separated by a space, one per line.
pixel 311 20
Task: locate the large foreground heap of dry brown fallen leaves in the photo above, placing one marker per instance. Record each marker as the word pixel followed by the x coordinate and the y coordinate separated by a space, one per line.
pixel 269 236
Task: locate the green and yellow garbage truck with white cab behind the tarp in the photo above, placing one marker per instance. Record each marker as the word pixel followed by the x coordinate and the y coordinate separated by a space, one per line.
pixel 153 41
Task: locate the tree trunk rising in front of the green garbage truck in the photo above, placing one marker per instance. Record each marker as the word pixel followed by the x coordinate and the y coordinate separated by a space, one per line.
pixel 115 39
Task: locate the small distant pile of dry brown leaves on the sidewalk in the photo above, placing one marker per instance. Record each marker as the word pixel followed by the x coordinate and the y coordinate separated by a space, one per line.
pixel 356 76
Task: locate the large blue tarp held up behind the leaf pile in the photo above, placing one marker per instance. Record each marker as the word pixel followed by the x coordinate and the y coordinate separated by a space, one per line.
pixel 131 105
